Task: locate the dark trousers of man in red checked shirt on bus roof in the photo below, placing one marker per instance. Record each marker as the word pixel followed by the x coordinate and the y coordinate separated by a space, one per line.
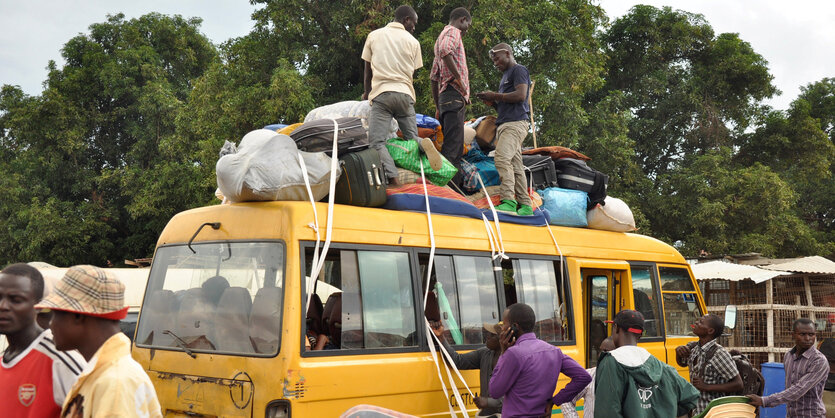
pixel 452 109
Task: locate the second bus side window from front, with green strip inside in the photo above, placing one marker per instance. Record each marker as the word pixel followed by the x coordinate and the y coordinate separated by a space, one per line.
pixel 463 296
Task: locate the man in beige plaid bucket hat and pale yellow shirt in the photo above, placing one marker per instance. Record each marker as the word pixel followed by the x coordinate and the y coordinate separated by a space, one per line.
pixel 87 305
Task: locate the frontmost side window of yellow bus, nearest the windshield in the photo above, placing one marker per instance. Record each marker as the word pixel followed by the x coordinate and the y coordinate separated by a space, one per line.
pixel 369 299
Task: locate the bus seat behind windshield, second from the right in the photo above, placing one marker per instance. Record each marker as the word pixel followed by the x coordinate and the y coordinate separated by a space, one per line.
pixel 232 320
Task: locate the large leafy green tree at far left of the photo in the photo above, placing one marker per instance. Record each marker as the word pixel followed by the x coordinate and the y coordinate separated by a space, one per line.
pixel 95 178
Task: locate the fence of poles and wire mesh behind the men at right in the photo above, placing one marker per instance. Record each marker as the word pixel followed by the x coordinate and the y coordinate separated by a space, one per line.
pixel 765 311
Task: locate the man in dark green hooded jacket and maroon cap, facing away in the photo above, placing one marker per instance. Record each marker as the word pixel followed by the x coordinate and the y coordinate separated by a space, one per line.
pixel 630 382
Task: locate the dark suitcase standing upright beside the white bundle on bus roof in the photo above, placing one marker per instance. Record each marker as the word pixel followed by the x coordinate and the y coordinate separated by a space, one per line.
pixel 362 182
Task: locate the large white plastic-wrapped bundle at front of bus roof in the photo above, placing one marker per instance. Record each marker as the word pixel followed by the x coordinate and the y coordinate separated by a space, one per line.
pixel 266 167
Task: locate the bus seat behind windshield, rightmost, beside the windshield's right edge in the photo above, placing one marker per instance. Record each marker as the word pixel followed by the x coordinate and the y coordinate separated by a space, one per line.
pixel 264 320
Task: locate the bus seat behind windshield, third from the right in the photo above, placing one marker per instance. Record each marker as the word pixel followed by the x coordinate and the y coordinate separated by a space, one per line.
pixel 195 320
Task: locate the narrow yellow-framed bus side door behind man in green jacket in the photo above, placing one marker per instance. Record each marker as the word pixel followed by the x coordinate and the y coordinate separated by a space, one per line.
pixel 602 299
